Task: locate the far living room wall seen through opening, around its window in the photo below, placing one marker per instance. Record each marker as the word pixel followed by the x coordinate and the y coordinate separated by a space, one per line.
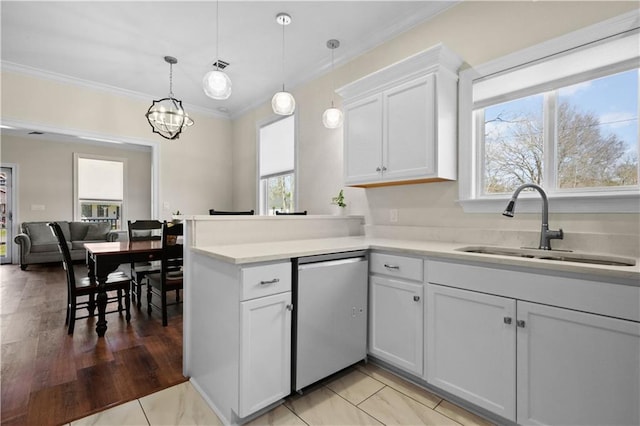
pixel 45 176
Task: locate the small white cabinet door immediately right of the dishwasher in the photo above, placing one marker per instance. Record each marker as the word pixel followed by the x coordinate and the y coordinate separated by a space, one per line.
pixel 395 324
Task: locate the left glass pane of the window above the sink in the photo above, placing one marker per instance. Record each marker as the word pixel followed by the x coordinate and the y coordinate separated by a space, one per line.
pixel 513 144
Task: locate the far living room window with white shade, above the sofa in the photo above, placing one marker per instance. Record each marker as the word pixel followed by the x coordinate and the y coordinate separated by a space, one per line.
pixel 99 189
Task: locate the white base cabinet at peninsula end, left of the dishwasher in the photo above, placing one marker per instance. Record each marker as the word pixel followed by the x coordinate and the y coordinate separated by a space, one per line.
pixel 239 338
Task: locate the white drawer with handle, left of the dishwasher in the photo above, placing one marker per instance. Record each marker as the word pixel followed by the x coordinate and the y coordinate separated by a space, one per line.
pixel 264 280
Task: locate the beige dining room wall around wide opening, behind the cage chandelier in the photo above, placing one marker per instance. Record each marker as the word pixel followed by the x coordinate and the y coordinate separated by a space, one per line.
pixel 194 170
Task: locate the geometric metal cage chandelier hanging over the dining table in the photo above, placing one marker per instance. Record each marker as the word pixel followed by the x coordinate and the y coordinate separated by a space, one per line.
pixel 166 116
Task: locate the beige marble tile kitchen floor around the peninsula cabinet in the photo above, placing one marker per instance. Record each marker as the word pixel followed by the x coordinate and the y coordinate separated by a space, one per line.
pixel 362 395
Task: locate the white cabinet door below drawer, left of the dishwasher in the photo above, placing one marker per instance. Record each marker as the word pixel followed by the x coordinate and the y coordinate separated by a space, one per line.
pixel 265 352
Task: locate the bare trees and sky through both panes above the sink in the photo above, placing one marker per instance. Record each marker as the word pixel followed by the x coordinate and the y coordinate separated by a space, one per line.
pixel 592 127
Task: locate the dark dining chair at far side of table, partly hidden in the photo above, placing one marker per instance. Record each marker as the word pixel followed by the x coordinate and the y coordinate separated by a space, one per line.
pixel 142 230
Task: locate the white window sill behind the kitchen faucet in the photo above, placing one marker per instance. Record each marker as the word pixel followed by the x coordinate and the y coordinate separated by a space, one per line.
pixel 580 203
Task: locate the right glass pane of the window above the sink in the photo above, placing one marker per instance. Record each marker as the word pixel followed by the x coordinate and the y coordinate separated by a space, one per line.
pixel 597 128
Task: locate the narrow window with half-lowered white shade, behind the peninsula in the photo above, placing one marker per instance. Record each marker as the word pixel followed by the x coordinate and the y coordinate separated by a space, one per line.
pixel 277 166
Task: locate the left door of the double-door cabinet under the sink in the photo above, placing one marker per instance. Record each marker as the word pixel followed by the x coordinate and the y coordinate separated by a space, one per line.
pixel 471 347
